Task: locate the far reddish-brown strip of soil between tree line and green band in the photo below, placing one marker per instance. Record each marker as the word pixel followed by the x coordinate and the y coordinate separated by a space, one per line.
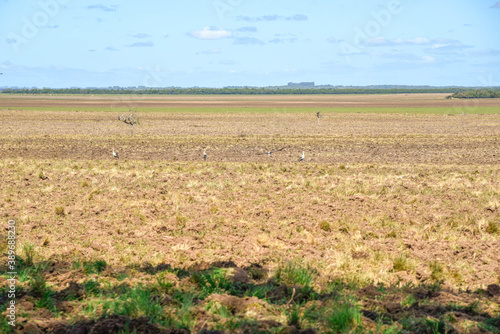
pixel 238 101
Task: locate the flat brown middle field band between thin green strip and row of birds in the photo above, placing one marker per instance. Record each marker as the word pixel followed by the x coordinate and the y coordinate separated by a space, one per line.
pixel 339 138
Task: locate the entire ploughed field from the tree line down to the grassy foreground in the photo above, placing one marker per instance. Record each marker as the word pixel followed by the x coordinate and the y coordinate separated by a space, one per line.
pixel 390 224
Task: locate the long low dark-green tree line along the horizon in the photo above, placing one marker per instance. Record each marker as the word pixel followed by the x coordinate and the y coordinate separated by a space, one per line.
pixel 235 91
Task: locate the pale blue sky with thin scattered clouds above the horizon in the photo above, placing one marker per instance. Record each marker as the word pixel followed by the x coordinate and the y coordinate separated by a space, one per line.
pixel 217 43
